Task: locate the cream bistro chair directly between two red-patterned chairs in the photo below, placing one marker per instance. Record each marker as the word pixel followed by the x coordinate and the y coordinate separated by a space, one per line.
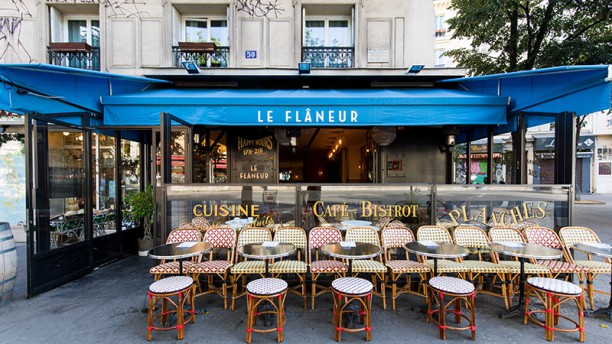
pixel 373 266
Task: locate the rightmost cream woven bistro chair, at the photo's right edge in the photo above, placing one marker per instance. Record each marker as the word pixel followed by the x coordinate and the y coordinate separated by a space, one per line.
pixel 574 235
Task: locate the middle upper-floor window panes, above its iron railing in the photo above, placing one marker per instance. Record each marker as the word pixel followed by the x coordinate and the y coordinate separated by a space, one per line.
pixel 198 29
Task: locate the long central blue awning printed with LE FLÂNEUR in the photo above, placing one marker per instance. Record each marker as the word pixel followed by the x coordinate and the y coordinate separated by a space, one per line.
pixel 305 107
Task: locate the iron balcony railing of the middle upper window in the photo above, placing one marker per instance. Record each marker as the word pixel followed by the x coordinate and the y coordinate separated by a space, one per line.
pixel 204 54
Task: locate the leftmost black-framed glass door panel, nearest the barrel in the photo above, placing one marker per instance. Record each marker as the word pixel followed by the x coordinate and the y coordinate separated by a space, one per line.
pixel 59 246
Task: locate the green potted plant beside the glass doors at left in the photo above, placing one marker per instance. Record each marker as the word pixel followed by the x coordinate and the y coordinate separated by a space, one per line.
pixel 140 206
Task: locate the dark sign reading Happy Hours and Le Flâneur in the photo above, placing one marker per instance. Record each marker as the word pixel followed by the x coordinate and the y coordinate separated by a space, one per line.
pixel 254 156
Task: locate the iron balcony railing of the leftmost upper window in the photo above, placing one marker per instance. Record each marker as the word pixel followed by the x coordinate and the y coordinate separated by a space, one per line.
pixel 74 54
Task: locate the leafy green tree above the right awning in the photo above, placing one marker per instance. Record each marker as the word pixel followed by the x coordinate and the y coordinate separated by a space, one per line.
pixel 513 35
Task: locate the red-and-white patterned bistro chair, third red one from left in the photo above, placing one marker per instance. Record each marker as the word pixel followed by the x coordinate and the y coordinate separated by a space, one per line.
pixel 320 264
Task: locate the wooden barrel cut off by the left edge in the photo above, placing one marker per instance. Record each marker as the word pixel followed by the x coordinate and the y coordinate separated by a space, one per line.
pixel 8 263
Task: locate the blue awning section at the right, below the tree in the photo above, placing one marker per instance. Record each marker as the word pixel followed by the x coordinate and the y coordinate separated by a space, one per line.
pixel 578 89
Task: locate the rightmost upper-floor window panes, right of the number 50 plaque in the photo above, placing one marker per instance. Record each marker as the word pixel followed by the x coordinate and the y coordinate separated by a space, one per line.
pixel 326 32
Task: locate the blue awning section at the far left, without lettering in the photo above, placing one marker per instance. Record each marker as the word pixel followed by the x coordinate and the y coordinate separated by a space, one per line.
pixel 49 89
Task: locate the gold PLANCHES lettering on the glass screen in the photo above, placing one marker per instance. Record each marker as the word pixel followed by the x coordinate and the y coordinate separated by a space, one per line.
pixel 525 211
